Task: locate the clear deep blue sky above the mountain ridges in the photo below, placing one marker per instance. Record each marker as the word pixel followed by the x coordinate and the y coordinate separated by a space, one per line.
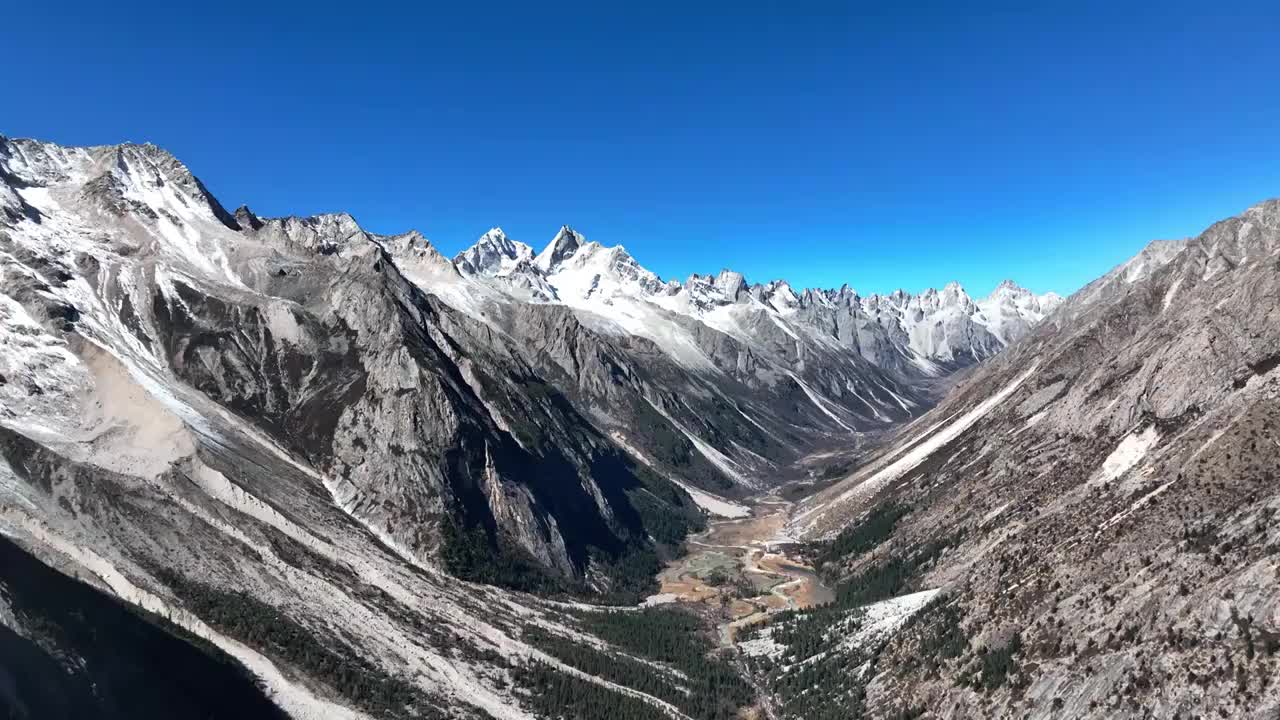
pixel 885 145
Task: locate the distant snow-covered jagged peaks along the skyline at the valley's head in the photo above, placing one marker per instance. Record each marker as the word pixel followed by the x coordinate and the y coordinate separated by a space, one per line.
pixel 932 332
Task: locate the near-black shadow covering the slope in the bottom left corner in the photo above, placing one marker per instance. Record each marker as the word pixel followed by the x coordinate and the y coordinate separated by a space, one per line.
pixel 84 654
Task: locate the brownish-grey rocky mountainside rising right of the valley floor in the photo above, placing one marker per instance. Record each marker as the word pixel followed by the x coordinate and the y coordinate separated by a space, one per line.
pixel 1084 527
